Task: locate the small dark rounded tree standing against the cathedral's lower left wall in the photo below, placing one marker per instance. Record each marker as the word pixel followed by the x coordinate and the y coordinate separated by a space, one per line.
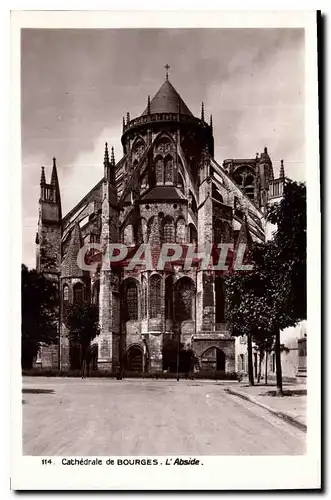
pixel 82 320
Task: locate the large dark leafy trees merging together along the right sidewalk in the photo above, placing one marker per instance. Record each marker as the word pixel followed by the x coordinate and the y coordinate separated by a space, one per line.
pixel 272 296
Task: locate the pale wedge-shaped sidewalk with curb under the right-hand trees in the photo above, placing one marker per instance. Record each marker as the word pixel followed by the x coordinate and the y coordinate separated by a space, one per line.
pixel 292 407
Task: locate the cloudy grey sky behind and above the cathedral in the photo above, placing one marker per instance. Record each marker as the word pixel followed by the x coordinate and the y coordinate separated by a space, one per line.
pixel 76 86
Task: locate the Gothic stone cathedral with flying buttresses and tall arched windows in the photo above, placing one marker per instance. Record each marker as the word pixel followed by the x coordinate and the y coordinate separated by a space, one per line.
pixel 167 188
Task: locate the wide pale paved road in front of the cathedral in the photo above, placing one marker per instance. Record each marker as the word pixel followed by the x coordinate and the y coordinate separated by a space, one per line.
pixel 133 417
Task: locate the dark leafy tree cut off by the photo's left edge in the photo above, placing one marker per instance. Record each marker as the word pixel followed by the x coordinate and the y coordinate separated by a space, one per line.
pixel 39 314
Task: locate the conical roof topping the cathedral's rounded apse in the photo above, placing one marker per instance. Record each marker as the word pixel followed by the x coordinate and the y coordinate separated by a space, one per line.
pixel 167 100
